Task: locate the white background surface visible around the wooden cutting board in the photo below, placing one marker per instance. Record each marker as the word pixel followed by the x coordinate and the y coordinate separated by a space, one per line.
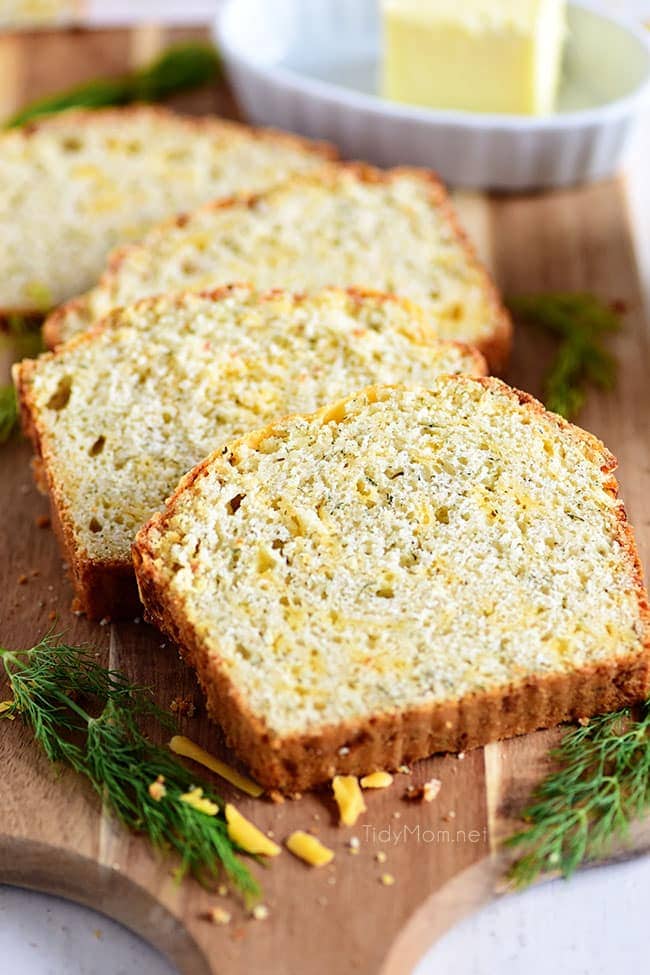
pixel 595 925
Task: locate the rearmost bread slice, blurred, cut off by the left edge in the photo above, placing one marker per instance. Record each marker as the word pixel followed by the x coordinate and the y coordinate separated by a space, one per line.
pixel 76 184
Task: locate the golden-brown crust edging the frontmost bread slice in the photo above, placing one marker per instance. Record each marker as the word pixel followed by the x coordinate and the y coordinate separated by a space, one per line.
pixel 387 740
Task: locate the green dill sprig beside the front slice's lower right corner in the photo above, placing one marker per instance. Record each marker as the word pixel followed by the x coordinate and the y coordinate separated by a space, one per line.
pixel 602 784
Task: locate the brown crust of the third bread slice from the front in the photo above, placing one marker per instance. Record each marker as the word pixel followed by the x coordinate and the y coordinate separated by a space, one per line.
pixel 495 347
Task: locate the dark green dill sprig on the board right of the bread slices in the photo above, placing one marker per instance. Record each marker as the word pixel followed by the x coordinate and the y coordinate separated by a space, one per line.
pixel 580 321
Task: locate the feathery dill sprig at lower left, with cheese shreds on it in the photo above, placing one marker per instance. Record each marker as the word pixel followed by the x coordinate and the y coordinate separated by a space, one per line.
pixel 88 717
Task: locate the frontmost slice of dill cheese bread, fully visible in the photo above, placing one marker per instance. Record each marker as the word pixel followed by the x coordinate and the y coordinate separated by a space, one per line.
pixel 403 572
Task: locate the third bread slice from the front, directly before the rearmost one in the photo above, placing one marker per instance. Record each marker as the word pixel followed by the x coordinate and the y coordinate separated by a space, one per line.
pixel 349 226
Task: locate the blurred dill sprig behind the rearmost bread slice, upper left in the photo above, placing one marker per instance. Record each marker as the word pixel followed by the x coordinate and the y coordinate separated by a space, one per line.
pixel 179 68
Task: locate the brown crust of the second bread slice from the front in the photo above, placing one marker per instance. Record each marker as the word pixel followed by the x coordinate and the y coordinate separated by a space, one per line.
pixel 108 589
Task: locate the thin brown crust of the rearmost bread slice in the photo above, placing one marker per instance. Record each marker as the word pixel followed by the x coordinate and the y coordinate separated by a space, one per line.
pixel 193 123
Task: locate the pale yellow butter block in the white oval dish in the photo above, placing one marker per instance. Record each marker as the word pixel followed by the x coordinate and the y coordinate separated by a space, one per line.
pixel 499 56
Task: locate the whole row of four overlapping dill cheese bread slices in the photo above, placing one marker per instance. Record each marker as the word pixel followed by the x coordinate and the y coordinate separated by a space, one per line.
pixel 385 553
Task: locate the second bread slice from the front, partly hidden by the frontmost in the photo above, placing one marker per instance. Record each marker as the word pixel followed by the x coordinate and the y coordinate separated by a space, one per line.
pixel 120 413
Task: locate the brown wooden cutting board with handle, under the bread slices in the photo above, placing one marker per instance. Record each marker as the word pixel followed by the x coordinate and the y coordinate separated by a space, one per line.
pixel 444 855
